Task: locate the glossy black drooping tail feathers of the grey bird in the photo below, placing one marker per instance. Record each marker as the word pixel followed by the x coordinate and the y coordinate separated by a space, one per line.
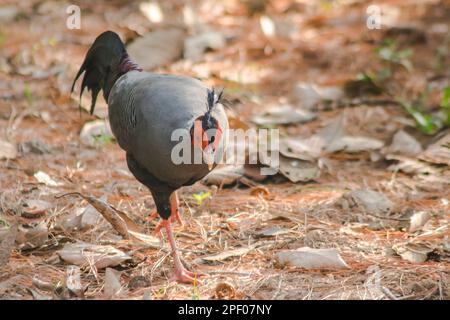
pixel 101 67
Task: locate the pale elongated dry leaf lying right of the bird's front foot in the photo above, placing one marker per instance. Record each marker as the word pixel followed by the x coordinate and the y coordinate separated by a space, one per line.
pixel 310 258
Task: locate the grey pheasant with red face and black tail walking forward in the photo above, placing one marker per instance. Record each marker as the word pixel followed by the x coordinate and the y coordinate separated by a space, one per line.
pixel 144 110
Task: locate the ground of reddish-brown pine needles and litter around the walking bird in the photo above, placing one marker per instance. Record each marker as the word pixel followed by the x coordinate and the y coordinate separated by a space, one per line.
pixel 324 43
